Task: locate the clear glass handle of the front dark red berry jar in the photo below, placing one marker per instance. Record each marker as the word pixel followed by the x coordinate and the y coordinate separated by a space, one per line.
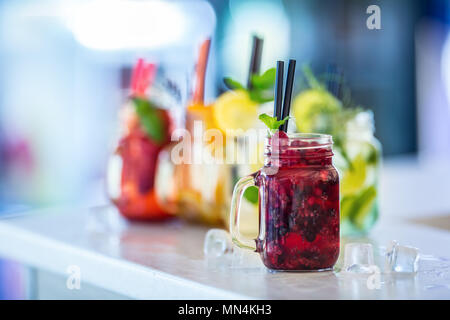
pixel 236 200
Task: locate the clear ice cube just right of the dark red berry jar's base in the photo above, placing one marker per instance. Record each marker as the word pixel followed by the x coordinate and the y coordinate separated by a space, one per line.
pixel 358 258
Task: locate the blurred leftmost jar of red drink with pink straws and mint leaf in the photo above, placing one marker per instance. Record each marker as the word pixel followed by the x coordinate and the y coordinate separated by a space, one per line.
pixel 145 126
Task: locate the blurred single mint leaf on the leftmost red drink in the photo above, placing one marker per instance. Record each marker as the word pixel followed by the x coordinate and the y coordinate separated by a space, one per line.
pixel 150 119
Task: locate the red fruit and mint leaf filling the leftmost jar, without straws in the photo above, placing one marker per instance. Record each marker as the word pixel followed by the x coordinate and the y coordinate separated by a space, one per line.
pixel 147 132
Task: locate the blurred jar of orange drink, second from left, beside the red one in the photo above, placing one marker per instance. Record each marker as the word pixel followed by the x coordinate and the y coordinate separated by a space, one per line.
pixel 196 186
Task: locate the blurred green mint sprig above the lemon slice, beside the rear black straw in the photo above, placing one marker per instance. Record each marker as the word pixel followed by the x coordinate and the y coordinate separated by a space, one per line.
pixel 261 90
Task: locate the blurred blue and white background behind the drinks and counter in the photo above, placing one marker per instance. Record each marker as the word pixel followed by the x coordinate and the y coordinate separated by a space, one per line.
pixel 64 66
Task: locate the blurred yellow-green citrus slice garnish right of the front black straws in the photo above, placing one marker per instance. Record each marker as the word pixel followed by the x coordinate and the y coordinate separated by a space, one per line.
pixel 313 110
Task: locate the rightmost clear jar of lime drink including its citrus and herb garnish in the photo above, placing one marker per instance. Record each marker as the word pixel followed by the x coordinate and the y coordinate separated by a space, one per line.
pixel 357 151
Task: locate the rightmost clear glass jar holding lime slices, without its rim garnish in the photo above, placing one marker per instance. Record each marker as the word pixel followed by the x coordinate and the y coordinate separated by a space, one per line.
pixel 358 160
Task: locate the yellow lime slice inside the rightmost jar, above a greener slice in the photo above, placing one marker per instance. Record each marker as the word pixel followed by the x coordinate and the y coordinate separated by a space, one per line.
pixel 354 177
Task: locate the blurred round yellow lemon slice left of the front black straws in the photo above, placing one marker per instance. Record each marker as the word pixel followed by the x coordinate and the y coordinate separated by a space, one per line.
pixel 234 110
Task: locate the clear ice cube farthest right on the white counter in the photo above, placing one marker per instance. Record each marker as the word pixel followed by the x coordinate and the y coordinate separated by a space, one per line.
pixel 402 259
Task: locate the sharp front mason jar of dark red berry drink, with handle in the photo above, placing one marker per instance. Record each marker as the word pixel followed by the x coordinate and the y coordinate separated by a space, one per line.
pixel 298 204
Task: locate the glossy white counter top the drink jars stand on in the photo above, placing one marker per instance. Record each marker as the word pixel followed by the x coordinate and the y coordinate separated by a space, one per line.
pixel 165 260
